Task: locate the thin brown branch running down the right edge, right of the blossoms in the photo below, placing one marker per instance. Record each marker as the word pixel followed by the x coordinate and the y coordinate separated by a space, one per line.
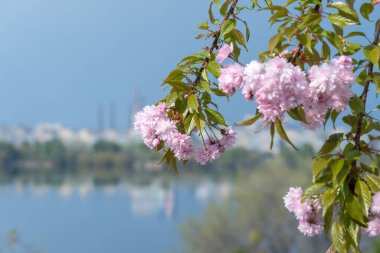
pixel 364 94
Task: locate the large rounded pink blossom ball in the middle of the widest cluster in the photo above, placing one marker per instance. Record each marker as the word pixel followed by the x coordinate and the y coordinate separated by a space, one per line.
pixel 277 85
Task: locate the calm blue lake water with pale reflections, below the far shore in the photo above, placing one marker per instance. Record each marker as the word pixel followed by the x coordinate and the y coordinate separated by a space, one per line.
pixel 81 215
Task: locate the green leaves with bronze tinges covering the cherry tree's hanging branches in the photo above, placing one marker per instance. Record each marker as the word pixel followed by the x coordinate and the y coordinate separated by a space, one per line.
pixel 345 170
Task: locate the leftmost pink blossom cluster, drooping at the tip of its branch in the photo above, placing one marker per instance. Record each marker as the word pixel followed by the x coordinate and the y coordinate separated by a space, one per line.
pixel 157 129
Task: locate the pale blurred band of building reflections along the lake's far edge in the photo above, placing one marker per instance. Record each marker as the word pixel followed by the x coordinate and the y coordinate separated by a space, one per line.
pixel 149 198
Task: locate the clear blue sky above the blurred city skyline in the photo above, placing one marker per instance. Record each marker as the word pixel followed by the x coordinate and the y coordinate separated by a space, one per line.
pixel 60 58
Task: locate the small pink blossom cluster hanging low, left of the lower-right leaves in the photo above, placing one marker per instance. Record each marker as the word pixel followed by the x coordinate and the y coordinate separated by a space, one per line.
pixel 306 212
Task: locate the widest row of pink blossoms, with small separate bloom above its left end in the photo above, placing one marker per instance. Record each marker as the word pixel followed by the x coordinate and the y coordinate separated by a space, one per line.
pixel 278 86
